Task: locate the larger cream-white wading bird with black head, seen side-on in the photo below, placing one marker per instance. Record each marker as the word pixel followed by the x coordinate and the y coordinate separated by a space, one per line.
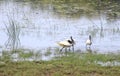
pixel 67 43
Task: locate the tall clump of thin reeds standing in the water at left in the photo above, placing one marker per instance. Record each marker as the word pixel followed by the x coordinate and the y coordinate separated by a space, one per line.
pixel 13 32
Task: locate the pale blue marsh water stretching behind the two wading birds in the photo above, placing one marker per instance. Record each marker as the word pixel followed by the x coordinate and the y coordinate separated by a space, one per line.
pixel 42 25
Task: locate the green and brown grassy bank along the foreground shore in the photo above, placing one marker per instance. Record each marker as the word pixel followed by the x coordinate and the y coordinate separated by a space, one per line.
pixel 73 64
